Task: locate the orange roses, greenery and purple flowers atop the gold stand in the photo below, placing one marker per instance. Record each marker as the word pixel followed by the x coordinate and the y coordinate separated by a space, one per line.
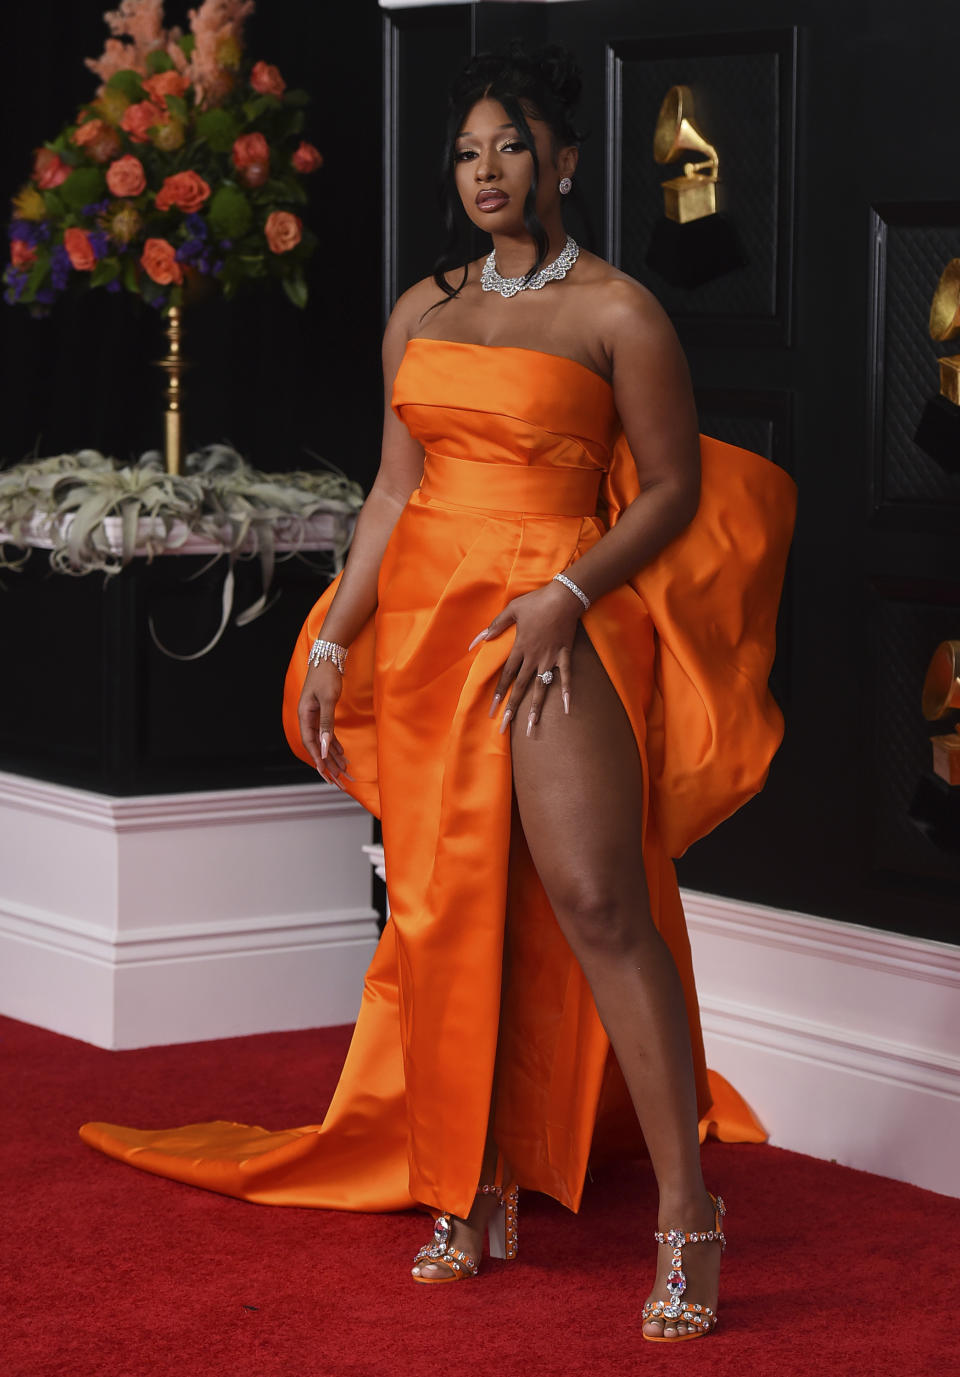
pixel 185 169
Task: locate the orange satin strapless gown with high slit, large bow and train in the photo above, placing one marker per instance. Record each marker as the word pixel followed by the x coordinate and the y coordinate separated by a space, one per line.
pixel 525 469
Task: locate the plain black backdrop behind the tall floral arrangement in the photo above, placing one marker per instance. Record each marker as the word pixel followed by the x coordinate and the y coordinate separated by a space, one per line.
pixel 271 379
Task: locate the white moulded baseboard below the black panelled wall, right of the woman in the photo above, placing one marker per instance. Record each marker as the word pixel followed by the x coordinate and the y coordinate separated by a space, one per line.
pixel 844 1039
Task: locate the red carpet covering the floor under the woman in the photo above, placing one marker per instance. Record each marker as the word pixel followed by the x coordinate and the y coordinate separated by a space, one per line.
pixel 112 1273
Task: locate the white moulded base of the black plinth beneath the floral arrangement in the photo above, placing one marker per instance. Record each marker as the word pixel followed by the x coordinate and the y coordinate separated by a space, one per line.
pixel 180 918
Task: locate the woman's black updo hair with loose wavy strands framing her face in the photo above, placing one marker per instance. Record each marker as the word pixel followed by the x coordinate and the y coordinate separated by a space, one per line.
pixel 542 86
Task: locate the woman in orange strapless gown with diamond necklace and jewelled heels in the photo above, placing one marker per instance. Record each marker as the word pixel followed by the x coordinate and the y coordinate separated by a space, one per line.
pixel 538 750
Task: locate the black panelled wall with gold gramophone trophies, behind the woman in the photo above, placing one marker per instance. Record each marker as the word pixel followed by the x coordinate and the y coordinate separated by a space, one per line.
pixel 837 129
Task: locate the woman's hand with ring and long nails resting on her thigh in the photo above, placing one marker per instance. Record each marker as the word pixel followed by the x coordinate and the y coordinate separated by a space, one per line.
pixel 546 624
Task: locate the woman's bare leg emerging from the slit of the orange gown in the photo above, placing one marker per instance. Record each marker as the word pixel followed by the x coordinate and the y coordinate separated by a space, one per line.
pixel 579 791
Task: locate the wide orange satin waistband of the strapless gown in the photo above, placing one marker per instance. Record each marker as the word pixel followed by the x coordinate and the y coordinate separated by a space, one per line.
pixel 512 488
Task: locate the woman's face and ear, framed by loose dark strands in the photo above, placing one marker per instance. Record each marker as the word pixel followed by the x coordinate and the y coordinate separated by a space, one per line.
pixel 494 169
